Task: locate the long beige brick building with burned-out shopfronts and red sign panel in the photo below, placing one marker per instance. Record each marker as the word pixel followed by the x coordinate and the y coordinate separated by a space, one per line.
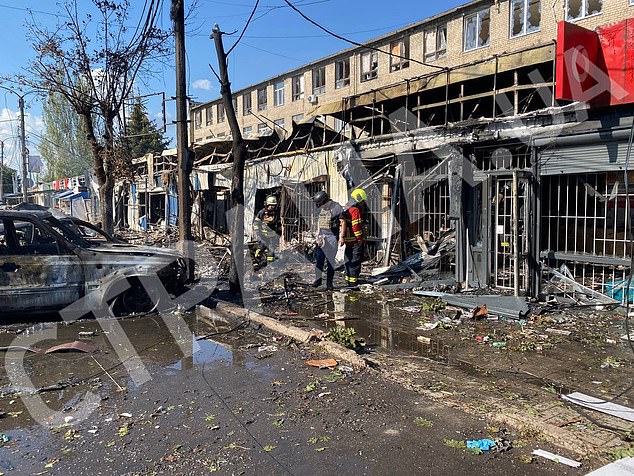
pixel 504 121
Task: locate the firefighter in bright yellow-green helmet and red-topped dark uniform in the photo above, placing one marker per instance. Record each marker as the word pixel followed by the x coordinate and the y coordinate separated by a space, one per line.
pixel 351 235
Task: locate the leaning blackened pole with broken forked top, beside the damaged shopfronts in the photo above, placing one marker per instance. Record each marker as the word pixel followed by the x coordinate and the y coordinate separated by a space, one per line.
pixel 239 152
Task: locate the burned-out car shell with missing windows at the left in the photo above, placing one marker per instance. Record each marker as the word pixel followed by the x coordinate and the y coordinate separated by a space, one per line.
pixel 47 265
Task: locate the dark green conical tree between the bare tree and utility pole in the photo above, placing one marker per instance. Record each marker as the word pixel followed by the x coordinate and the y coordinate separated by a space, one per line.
pixel 142 135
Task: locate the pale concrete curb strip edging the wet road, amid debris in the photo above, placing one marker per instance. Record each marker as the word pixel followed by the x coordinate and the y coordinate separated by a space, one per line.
pixel 337 351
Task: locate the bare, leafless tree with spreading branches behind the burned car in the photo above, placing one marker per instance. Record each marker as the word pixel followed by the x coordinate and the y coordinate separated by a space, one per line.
pixel 93 61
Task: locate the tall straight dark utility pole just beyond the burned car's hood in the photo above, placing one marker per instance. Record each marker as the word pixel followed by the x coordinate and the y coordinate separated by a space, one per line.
pixel 184 156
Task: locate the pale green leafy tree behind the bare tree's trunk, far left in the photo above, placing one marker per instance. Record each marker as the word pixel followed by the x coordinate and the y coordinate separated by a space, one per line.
pixel 64 147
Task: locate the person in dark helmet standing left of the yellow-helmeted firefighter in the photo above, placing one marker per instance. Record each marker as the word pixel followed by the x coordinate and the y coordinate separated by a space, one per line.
pixel 327 235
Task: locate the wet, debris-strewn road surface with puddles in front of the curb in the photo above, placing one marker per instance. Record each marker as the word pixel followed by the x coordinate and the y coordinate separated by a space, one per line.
pixel 190 394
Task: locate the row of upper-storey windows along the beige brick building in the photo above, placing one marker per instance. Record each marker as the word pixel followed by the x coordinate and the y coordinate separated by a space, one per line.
pixel 525 18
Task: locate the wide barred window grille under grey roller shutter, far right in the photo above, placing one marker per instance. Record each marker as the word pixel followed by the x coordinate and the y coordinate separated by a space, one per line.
pixel 585 222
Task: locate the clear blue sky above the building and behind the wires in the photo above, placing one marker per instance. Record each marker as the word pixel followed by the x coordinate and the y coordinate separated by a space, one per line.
pixel 278 40
